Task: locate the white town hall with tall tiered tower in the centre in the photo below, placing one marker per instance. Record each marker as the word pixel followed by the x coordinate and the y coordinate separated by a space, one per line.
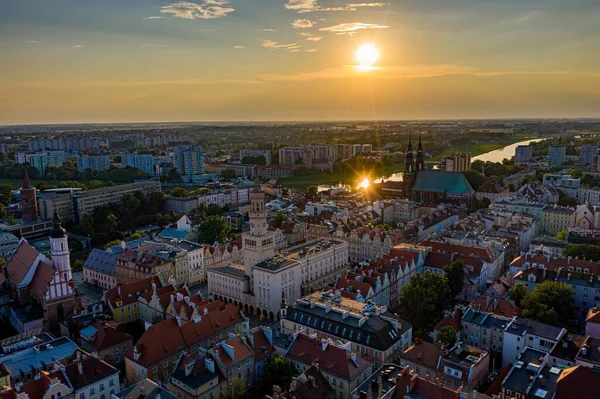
pixel 266 278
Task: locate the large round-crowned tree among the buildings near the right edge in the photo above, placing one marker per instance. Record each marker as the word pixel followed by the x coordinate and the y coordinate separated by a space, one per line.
pixel 551 302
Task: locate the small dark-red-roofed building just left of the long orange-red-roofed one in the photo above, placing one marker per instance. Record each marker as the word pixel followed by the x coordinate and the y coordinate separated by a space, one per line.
pixel 106 339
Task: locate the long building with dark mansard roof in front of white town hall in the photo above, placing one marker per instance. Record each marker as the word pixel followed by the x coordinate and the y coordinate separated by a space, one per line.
pixel 371 331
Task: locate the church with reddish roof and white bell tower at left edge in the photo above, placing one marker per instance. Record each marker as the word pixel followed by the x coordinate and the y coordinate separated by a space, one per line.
pixel 42 289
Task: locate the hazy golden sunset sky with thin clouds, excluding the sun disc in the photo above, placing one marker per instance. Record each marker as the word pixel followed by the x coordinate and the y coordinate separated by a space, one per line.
pixel 76 61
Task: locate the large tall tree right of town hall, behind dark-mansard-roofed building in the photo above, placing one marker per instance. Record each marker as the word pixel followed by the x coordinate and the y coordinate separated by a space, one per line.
pixel 424 299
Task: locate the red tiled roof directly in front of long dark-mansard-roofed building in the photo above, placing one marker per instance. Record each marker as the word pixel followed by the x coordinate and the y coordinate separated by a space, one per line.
pixel 333 359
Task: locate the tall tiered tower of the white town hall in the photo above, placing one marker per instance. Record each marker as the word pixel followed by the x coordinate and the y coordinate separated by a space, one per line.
pixel 259 243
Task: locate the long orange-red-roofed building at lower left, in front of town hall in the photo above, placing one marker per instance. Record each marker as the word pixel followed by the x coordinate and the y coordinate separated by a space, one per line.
pixel 148 359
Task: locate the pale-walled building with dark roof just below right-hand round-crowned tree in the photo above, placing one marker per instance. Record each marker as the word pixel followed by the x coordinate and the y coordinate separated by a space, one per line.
pixel 521 334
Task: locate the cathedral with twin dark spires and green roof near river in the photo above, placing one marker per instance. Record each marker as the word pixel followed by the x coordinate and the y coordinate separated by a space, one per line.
pixel 432 187
